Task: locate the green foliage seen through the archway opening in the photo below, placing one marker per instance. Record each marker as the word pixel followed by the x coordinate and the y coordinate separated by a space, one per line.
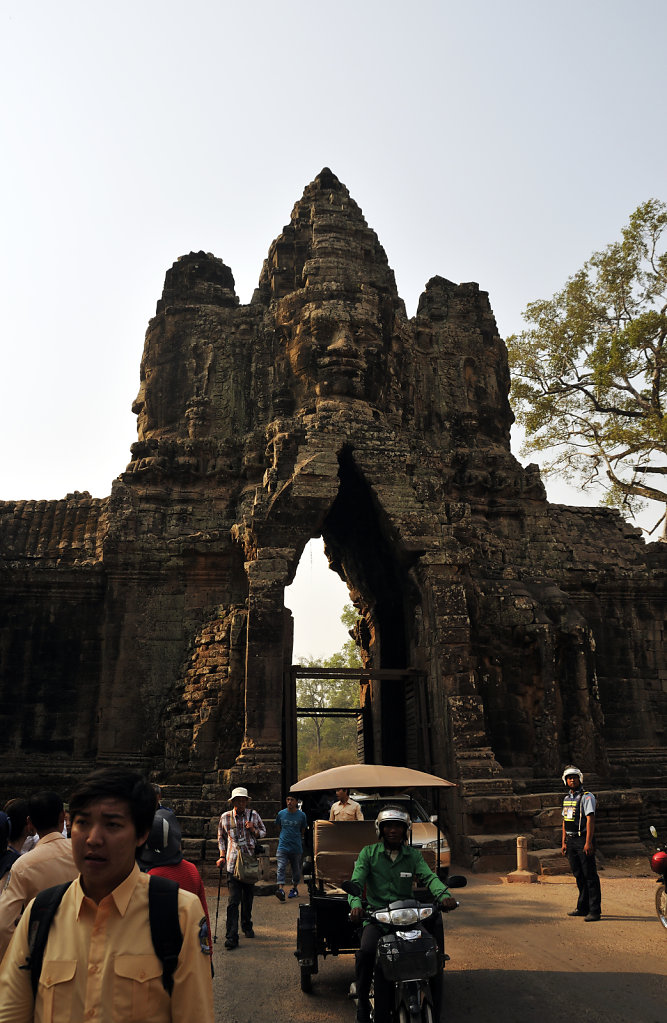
pixel 329 742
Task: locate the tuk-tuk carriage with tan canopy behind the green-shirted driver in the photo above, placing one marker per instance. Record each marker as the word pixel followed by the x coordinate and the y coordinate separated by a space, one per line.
pixel 324 927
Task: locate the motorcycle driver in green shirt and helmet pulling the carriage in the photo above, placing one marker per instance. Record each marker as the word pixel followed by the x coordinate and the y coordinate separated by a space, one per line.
pixel 387 869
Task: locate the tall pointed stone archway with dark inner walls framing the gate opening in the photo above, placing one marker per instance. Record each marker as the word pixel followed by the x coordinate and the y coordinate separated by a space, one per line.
pixel 364 547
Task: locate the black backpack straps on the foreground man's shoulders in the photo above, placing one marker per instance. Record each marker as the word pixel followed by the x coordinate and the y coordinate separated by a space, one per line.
pixel 165 928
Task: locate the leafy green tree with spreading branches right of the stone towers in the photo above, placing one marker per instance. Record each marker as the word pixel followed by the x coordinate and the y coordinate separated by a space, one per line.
pixel 589 375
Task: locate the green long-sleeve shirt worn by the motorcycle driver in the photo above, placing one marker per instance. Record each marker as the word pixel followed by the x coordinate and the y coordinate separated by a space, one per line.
pixel 388 880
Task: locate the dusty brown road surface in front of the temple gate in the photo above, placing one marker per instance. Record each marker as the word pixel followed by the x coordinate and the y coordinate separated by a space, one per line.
pixel 516 958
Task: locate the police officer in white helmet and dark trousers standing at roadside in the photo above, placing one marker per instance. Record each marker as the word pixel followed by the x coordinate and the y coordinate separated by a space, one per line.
pixel 579 844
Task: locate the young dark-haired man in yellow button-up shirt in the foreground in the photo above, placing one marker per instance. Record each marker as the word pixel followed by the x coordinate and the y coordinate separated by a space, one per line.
pixel 100 963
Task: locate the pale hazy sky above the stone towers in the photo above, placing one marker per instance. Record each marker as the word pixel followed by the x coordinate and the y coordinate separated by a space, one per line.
pixel 501 144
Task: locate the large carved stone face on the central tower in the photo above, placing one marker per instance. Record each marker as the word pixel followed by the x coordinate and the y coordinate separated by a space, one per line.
pixel 337 349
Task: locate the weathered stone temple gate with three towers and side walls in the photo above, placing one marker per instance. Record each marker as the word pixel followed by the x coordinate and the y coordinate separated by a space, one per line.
pixel 150 627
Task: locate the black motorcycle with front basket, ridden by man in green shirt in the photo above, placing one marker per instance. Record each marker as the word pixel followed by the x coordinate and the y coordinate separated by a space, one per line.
pixel 408 959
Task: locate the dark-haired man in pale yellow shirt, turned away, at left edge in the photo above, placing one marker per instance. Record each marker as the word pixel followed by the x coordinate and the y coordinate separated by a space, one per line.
pixel 51 863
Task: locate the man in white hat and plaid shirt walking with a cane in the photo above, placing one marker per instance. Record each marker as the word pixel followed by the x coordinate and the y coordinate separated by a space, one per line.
pixel 239 828
